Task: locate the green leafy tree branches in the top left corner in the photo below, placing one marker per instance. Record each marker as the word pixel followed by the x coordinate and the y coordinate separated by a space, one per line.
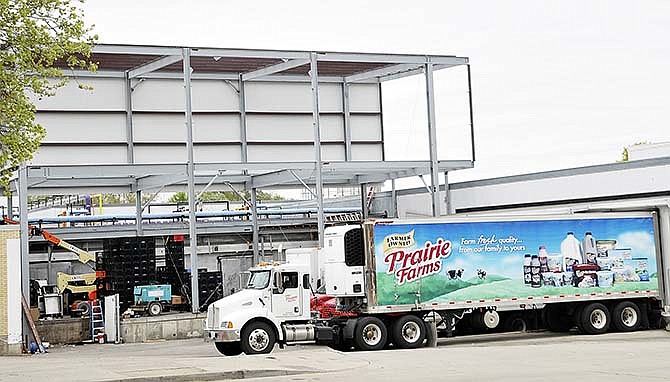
pixel 35 37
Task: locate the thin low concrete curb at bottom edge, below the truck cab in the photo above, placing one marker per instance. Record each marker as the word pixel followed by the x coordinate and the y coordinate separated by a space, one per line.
pixel 214 376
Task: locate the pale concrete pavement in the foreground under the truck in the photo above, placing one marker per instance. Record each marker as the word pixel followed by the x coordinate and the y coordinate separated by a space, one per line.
pixel 640 356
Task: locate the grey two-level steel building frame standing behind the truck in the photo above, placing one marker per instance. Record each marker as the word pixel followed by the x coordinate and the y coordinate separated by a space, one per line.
pixel 131 177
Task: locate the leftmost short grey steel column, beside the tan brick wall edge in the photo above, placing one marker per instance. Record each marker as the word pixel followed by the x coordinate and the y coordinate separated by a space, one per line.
pixel 25 262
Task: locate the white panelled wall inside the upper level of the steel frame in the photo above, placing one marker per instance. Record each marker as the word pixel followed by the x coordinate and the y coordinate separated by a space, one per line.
pixel 90 126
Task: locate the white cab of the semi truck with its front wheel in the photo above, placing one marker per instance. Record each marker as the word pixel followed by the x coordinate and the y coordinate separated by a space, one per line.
pixel 272 308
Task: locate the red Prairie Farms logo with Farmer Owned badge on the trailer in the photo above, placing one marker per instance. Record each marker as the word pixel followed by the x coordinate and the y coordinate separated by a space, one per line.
pixel 412 264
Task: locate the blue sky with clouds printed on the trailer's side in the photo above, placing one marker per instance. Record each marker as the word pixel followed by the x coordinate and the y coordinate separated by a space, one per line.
pixel 634 233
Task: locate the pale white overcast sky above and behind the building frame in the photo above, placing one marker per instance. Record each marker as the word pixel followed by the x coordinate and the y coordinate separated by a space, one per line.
pixel 556 84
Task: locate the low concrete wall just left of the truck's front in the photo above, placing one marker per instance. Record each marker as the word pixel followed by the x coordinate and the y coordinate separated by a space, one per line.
pixel 177 326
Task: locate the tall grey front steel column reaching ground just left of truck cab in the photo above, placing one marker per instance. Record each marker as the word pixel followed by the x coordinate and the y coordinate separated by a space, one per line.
pixel 192 234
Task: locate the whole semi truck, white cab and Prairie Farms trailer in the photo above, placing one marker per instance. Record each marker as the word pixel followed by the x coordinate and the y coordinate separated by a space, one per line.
pixel 395 280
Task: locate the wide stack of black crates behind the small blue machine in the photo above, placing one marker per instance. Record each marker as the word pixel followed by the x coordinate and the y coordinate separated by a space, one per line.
pixel 128 262
